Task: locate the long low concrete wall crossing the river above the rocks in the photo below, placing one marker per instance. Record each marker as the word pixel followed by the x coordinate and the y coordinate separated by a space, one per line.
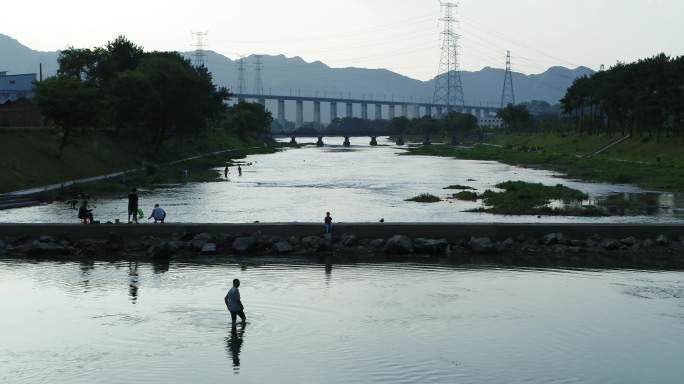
pixel 449 231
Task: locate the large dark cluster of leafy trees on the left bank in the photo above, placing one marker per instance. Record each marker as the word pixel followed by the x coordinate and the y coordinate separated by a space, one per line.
pixel 152 95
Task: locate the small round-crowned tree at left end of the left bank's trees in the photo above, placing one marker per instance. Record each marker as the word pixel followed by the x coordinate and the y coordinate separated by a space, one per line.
pixel 69 103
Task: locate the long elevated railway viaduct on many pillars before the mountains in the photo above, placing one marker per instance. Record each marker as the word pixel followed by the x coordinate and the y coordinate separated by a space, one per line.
pixel 408 109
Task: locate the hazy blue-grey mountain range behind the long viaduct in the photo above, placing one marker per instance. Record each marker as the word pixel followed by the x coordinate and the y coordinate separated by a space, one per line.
pixel 283 75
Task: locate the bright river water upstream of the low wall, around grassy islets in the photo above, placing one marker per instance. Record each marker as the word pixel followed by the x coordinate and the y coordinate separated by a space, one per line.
pixel 356 184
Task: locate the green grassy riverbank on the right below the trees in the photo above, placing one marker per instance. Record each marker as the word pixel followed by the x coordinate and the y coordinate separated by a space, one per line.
pixel 639 161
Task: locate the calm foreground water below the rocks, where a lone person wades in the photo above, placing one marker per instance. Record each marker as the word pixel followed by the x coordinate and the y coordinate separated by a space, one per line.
pixel 369 323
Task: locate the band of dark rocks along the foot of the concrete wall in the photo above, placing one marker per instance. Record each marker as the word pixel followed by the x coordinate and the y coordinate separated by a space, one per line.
pixel 550 250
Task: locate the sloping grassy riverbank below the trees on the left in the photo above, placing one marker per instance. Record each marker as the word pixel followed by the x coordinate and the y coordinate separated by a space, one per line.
pixel 31 158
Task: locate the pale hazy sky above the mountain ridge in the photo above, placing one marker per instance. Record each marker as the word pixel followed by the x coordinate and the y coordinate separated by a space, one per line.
pixel 401 35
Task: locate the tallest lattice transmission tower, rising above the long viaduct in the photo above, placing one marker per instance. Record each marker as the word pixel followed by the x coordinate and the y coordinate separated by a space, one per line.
pixel 448 85
